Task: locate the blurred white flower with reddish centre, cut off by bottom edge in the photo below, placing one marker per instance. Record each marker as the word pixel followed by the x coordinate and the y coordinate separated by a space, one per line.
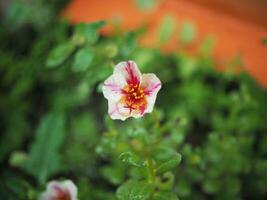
pixel 64 190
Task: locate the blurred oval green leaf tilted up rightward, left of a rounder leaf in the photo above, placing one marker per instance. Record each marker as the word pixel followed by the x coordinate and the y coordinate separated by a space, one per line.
pixel 59 54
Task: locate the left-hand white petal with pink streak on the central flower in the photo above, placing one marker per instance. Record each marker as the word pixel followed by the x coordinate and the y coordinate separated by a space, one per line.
pixel 112 87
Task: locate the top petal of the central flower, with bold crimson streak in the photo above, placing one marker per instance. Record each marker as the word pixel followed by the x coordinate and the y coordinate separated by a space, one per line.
pixel 128 71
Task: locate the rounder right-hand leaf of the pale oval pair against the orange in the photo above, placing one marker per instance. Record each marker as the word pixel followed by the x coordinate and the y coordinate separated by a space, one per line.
pixel 188 33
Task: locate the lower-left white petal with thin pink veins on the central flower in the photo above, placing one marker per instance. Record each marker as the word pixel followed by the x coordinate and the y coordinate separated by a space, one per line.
pixel 117 110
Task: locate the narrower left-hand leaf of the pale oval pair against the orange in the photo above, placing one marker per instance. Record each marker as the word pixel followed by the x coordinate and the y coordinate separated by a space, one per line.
pixel 166 29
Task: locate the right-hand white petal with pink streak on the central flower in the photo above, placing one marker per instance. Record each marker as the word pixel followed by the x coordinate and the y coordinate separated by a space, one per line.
pixel 151 85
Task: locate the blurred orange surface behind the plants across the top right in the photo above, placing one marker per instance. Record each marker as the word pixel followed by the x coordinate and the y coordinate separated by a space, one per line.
pixel 238 27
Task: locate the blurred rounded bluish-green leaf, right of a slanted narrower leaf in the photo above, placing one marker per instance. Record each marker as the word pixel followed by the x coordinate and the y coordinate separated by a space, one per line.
pixel 82 60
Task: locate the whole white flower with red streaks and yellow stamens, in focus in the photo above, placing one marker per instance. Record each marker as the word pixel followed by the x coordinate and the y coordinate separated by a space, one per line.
pixel 130 93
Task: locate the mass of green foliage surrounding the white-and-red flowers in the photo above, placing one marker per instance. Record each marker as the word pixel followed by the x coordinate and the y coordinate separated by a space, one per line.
pixel 54 121
